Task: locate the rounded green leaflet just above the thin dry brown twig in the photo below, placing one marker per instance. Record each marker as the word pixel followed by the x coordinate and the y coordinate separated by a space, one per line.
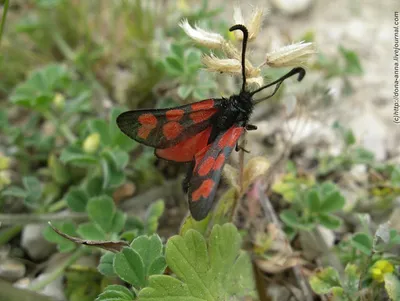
pixel 101 210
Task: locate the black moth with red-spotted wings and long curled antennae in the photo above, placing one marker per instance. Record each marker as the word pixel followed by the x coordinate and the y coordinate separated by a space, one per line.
pixel 203 133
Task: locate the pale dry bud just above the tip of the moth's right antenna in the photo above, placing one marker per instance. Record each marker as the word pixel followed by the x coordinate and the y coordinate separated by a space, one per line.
pixel 290 55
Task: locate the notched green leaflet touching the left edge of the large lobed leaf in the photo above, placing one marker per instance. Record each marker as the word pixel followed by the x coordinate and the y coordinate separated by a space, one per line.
pixel 150 250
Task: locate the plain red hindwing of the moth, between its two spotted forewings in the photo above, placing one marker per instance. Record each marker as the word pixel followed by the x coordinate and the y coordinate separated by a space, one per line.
pixel 186 150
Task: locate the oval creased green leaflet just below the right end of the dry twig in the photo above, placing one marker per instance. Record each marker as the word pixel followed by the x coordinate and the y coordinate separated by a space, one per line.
pixel 128 265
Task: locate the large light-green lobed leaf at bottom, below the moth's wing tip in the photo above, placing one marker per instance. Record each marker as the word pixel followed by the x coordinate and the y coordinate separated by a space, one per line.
pixel 204 272
